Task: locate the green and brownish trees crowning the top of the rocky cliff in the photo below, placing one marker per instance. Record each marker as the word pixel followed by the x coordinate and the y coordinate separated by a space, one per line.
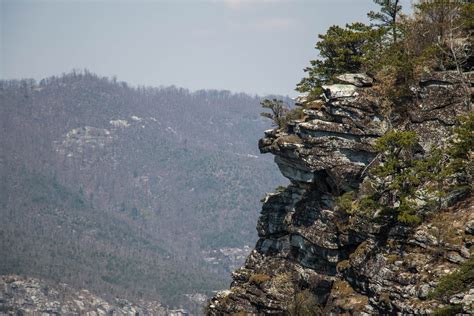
pixel 396 49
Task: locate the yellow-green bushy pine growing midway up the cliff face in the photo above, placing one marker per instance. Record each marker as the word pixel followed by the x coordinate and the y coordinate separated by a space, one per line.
pixel 398 176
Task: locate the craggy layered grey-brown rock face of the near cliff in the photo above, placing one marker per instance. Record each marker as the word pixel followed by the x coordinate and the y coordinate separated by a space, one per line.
pixel 348 265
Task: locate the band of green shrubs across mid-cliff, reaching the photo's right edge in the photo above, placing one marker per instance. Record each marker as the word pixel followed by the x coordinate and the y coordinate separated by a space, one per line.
pixel 408 180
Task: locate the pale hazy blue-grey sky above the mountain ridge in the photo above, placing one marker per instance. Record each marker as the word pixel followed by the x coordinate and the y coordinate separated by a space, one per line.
pixel 254 46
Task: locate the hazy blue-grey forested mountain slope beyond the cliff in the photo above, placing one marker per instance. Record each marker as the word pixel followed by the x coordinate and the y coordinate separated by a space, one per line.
pixel 136 192
